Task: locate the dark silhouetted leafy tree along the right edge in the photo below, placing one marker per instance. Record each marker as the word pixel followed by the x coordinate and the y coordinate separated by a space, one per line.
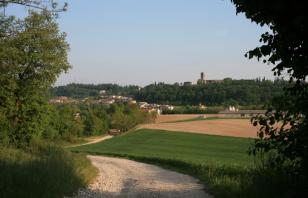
pixel 284 129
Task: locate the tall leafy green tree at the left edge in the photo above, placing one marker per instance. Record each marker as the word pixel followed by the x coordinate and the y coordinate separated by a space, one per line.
pixel 33 53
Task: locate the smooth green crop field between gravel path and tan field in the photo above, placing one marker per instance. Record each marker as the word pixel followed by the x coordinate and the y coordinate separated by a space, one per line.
pixel 188 147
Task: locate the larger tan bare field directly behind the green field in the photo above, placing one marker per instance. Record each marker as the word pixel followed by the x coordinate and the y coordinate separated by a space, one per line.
pixel 224 127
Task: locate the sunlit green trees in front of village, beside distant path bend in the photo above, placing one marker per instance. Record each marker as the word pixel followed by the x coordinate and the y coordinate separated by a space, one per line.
pixel 70 121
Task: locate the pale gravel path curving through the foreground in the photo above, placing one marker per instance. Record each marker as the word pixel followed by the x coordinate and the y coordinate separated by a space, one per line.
pixel 122 178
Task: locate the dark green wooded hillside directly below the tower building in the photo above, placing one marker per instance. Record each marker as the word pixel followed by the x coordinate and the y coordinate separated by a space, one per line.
pixel 227 92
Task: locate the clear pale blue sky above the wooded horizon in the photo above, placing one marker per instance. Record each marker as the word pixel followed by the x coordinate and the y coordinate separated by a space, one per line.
pixel 145 41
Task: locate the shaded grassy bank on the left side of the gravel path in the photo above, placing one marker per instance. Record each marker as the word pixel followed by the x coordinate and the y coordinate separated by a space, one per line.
pixel 43 171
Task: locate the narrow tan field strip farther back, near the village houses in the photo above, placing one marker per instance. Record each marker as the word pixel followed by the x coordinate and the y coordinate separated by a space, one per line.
pixel 177 117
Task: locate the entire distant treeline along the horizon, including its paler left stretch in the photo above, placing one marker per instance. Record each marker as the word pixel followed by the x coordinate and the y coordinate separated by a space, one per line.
pixel 227 92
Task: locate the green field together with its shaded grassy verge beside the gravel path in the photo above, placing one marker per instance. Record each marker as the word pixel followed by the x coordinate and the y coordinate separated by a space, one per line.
pixel 221 163
